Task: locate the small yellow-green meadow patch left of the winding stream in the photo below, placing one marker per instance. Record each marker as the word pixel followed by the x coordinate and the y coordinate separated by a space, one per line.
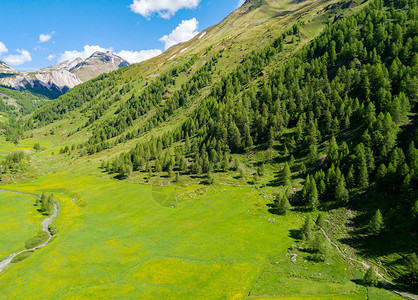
pixel 19 221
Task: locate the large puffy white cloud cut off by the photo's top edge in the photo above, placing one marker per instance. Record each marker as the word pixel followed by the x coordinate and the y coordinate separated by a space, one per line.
pixel 165 8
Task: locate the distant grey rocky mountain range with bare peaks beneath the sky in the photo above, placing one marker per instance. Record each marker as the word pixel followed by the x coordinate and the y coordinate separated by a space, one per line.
pixel 58 79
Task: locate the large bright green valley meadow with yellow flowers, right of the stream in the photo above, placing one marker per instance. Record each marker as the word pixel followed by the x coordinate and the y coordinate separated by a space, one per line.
pixel 121 240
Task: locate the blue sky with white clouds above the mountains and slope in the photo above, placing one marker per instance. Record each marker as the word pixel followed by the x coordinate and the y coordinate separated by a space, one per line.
pixel 37 34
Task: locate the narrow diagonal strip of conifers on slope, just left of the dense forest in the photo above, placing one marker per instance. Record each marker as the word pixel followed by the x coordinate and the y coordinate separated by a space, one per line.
pixel 167 104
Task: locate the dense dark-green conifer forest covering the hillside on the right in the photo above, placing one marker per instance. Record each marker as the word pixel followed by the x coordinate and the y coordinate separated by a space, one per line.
pixel 344 106
